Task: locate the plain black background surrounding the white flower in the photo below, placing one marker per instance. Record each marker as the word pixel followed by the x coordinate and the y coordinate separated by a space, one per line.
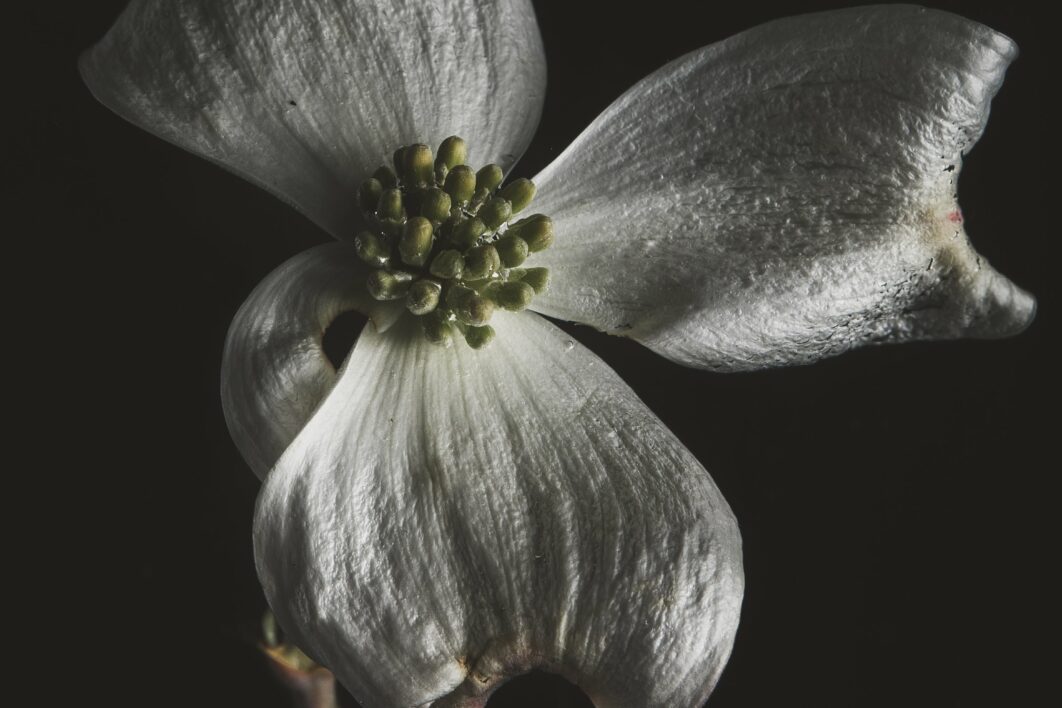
pixel 899 529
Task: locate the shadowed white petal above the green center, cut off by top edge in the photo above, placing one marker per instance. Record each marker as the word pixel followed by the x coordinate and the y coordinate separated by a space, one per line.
pixel 306 99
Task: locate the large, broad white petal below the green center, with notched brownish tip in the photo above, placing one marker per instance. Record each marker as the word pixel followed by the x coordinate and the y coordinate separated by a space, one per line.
pixel 452 519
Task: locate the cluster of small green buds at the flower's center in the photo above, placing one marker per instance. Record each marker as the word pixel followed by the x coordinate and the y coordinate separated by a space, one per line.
pixel 441 238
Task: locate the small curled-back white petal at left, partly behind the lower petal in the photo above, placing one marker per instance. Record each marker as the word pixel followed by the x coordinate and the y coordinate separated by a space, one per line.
pixel 275 372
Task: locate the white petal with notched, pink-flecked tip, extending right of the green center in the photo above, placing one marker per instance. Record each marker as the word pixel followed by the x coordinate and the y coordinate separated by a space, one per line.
pixel 786 195
